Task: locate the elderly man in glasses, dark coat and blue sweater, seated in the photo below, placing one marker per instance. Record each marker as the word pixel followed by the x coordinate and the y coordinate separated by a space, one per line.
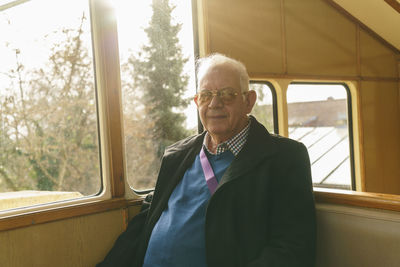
pixel 234 195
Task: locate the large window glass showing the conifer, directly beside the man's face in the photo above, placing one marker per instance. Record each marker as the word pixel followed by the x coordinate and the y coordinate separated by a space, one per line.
pixel 157 78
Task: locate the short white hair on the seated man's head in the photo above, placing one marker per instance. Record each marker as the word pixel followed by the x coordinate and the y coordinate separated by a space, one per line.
pixel 216 59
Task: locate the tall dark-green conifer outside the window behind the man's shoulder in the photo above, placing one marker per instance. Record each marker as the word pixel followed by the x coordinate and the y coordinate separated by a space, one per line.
pixel 158 73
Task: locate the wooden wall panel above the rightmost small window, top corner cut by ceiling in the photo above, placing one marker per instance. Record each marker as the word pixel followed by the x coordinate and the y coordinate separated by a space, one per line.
pixel 320 40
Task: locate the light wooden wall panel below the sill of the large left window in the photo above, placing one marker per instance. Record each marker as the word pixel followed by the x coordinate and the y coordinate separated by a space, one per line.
pixel 79 242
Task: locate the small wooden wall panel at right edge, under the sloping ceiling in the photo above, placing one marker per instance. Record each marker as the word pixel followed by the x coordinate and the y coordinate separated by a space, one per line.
pixel 376 59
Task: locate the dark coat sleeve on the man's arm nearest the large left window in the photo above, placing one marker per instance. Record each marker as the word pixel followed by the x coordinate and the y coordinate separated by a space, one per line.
pixel 125 247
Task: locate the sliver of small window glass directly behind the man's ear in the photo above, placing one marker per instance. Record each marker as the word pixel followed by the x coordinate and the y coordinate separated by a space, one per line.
pixel 263 110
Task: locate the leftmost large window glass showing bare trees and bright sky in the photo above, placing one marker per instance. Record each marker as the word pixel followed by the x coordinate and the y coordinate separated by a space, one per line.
pixel 48 120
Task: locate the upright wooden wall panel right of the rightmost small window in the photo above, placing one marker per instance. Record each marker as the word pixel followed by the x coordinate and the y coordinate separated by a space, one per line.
pixel 379 101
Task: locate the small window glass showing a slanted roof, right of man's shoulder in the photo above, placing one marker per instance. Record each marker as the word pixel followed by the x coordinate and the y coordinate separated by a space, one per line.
pixel 318 117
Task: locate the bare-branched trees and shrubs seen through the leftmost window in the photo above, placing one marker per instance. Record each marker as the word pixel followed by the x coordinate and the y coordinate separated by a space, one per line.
pixel 50 122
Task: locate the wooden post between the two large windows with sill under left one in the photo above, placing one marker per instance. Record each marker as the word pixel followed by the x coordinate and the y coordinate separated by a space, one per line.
pixel 108 97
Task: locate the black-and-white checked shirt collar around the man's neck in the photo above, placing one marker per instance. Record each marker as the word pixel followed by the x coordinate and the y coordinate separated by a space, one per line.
pixel 235 144
